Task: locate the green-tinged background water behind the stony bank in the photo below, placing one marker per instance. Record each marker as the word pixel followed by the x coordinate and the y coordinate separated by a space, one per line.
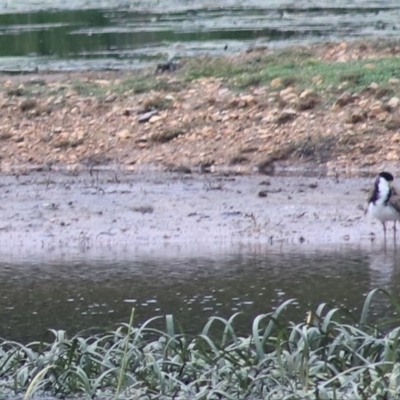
pixel 82 35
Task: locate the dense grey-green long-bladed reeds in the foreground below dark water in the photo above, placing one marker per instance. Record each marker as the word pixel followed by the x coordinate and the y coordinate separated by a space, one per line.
pixel 329 356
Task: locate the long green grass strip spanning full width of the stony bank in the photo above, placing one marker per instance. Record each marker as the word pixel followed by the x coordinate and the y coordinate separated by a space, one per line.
pixel 294 67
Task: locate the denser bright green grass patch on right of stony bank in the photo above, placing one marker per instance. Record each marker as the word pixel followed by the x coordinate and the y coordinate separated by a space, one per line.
pixel 296 68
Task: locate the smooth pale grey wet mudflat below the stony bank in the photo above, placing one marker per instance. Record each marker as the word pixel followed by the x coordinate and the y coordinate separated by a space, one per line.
pixel 51 211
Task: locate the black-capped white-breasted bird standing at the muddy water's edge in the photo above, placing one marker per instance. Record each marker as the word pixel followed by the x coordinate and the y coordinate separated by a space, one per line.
pixel 384 200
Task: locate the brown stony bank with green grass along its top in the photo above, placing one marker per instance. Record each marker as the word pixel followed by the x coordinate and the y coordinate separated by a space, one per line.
pixel 333 106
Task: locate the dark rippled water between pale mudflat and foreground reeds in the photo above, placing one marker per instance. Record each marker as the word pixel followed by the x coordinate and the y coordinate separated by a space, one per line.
pixel 76 294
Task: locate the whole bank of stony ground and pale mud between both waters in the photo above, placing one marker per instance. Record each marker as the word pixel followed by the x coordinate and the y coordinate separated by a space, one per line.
pixel 160 157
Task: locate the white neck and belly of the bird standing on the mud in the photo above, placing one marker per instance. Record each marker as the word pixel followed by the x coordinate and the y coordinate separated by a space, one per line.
pixel 380 208
